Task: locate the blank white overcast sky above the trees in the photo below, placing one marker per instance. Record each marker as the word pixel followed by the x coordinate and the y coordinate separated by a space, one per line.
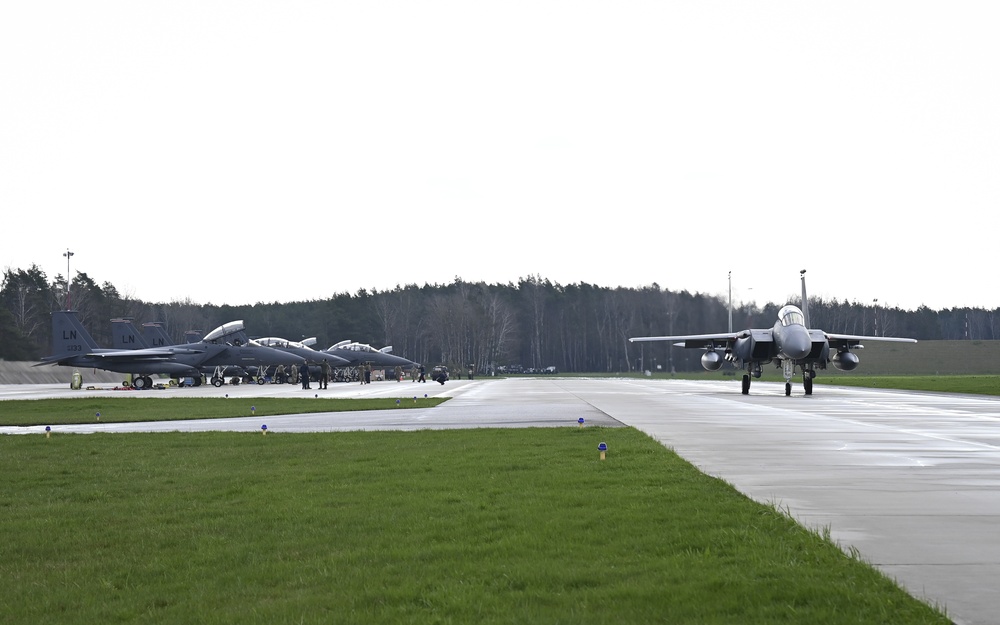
pixel 241 152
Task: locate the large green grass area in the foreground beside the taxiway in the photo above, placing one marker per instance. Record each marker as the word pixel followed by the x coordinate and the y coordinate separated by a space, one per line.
pixel 467 526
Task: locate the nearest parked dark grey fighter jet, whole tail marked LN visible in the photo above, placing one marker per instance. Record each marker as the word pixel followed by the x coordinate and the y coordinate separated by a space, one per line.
pixel 73 346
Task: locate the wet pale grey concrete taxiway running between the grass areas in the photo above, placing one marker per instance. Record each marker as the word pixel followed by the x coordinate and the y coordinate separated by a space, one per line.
pixel 909 480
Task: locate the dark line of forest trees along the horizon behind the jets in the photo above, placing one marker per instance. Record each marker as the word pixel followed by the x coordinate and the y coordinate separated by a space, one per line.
pixel 533 323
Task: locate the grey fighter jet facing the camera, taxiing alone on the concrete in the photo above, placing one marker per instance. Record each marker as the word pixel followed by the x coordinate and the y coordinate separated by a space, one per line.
pixel 790 343
